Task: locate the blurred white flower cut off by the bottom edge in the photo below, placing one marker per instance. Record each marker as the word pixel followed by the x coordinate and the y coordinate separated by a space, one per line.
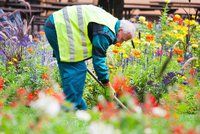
pixel 102 128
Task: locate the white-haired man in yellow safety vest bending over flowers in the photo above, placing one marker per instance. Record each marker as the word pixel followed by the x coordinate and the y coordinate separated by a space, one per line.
pixel 78 33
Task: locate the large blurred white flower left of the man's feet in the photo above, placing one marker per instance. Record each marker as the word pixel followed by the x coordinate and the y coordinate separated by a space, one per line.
pixel 46 104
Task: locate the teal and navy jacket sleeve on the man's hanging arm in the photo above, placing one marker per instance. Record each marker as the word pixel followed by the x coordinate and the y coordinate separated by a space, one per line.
pixel 100 45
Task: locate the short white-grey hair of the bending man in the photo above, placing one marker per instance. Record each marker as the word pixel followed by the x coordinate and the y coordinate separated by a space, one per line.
pixel 128 27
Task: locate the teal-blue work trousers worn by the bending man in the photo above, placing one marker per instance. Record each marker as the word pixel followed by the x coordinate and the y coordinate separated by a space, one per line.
pixel 72 74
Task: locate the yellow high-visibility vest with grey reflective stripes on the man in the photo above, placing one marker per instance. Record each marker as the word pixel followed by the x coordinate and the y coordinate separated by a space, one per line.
pixel 71 25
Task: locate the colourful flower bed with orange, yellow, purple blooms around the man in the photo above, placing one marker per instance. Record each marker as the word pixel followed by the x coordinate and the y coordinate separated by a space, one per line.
pixel 156 76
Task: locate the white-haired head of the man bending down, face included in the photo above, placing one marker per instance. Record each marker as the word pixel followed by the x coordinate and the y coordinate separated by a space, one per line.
pixel 126 31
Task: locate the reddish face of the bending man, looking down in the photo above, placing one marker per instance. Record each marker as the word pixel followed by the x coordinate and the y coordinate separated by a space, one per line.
pixel 122 36
